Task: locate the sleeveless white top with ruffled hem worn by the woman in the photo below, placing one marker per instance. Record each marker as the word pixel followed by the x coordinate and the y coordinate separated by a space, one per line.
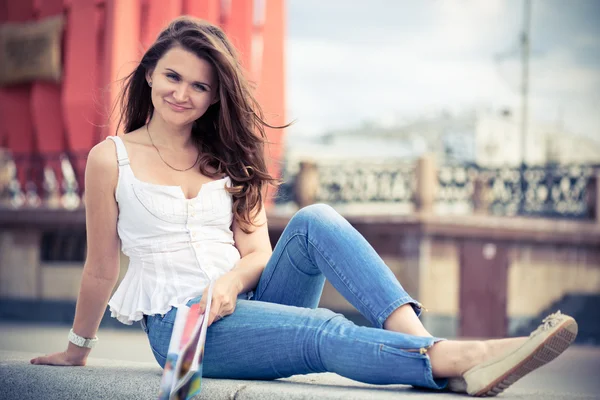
pixel 175 246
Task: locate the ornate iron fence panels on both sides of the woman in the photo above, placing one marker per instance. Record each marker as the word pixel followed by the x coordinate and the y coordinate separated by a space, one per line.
pixel 555 191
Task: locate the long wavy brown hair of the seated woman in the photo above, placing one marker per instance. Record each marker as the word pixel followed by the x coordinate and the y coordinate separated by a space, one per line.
pixel 230 135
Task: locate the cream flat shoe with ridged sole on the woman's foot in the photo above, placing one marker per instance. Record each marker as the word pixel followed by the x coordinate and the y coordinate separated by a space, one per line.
pixel 547 342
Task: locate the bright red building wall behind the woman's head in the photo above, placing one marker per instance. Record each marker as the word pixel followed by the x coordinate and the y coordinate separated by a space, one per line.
pixel 101 43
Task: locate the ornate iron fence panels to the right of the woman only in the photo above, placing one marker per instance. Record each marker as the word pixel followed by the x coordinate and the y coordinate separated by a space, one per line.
pixel 554 191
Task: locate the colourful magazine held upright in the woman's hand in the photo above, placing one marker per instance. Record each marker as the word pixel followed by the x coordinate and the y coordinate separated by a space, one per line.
pixel 182 375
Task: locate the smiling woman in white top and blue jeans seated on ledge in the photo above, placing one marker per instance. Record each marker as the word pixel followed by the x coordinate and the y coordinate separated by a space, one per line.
pixel 182 192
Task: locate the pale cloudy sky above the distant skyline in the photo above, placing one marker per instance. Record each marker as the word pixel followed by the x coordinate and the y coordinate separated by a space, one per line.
pixel 351 61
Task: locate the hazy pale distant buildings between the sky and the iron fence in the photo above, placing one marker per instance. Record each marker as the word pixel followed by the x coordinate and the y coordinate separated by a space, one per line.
pixel 488 139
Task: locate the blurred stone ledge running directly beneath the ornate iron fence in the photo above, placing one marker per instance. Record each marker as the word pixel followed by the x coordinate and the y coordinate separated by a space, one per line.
pixel 529 229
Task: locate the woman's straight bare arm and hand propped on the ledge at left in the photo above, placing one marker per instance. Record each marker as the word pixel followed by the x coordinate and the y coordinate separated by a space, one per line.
pixel 101 269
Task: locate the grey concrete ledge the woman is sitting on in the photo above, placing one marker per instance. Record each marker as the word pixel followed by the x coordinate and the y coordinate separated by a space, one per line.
pixel 111 379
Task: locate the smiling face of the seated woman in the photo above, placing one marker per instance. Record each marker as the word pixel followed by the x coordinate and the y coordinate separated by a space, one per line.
pixel 183 87
